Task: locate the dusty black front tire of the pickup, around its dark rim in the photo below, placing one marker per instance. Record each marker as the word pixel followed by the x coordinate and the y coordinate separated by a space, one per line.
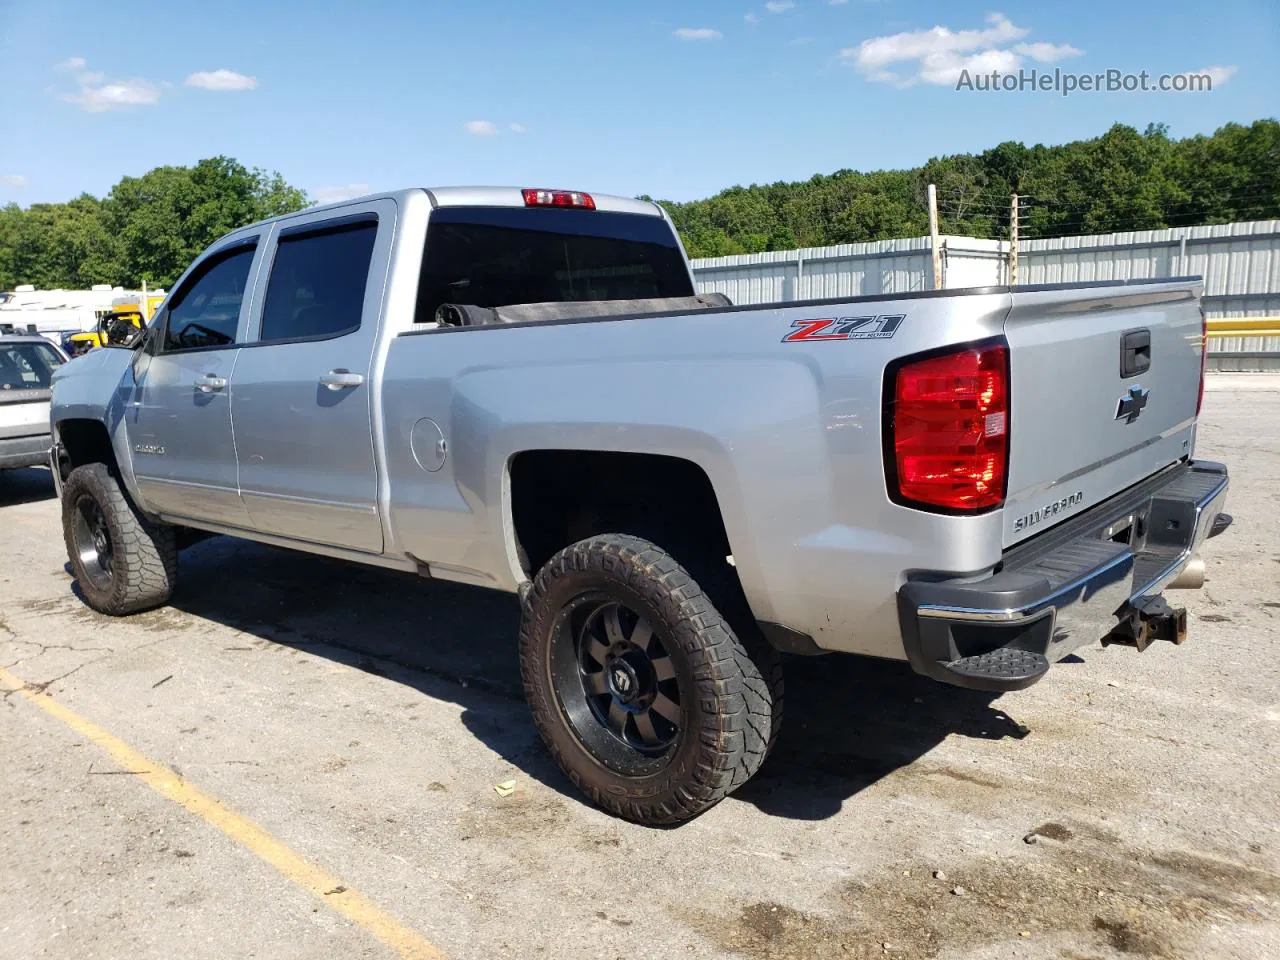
pixel 144 554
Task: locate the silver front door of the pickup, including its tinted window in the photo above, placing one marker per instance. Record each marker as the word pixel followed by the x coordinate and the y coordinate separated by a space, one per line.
pixel 180 422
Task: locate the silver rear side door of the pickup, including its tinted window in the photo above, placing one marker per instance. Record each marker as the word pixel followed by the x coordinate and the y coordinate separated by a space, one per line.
pixel 303 388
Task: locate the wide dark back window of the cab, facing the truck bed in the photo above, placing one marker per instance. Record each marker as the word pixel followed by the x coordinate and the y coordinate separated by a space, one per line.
pixel 501 257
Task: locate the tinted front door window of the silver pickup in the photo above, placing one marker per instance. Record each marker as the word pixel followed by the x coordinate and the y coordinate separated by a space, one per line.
pixel 205 313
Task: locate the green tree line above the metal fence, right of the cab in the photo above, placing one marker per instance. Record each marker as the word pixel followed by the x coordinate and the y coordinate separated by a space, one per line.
pixel 1122 181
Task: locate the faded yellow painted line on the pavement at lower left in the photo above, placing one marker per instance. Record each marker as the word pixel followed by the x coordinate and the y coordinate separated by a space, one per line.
pixel 332 892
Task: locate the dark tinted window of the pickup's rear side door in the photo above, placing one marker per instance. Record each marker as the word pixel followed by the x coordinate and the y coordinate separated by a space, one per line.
pixel 318 282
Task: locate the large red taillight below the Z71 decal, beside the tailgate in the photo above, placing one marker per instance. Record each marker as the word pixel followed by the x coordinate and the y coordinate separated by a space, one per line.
pixel 950 429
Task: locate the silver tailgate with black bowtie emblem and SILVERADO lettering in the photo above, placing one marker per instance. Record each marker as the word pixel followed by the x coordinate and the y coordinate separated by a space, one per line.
pixel 1105 387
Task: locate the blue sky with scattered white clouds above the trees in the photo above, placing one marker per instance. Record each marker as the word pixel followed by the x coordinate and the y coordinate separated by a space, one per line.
pixel 673 98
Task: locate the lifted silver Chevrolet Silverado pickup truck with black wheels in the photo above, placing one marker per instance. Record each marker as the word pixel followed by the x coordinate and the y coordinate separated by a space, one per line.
pixel 522 390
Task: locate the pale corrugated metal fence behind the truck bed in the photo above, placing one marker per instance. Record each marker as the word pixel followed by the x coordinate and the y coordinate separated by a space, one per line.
pixel 1240 262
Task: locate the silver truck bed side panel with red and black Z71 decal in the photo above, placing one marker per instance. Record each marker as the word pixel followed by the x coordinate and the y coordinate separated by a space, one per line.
pixel 788 433
